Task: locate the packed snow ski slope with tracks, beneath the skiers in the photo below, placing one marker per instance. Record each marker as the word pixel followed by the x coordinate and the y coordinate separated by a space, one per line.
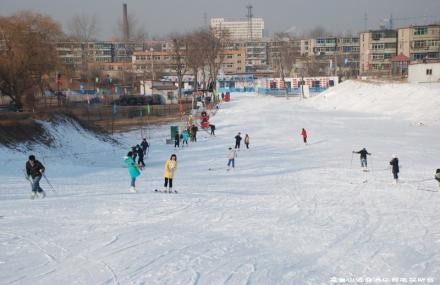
pixel 288 213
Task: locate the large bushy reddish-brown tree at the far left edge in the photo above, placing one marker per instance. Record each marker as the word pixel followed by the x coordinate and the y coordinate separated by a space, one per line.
pixel 28 55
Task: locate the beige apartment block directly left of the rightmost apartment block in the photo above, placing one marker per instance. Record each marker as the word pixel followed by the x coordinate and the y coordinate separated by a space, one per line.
pixel 377 48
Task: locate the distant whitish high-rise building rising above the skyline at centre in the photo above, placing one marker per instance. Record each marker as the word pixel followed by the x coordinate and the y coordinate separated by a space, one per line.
pixel 240 30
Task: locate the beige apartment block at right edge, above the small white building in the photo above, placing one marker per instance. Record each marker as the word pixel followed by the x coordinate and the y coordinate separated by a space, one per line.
pixel 420 43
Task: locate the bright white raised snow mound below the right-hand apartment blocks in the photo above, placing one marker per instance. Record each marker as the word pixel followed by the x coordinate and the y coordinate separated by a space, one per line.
pixel 415 102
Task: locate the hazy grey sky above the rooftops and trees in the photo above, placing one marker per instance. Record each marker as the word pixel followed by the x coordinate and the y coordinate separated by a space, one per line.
pixel 162 17
